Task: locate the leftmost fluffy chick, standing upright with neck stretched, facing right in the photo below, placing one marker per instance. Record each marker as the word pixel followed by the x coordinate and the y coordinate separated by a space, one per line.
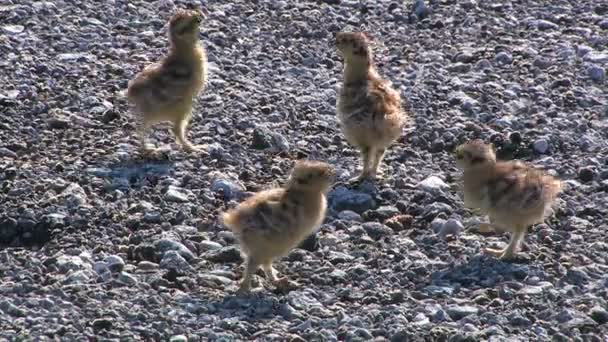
pixel 165 91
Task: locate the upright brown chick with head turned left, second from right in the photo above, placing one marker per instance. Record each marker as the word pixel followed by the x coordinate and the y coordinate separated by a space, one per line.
pixel 369 109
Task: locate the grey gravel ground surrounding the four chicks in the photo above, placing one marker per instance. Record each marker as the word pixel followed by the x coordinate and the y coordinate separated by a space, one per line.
pixel 98 242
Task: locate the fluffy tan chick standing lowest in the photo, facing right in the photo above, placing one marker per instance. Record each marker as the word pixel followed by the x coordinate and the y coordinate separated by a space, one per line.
pixel 271 223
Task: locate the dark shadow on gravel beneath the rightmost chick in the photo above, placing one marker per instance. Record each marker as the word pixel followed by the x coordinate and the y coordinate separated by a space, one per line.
pixel 483 271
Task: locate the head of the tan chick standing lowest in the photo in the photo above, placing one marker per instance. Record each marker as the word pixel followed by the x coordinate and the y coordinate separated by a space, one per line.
pixel 312 176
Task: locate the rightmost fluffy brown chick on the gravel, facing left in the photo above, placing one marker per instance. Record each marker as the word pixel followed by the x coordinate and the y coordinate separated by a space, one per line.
pixel 514 195
